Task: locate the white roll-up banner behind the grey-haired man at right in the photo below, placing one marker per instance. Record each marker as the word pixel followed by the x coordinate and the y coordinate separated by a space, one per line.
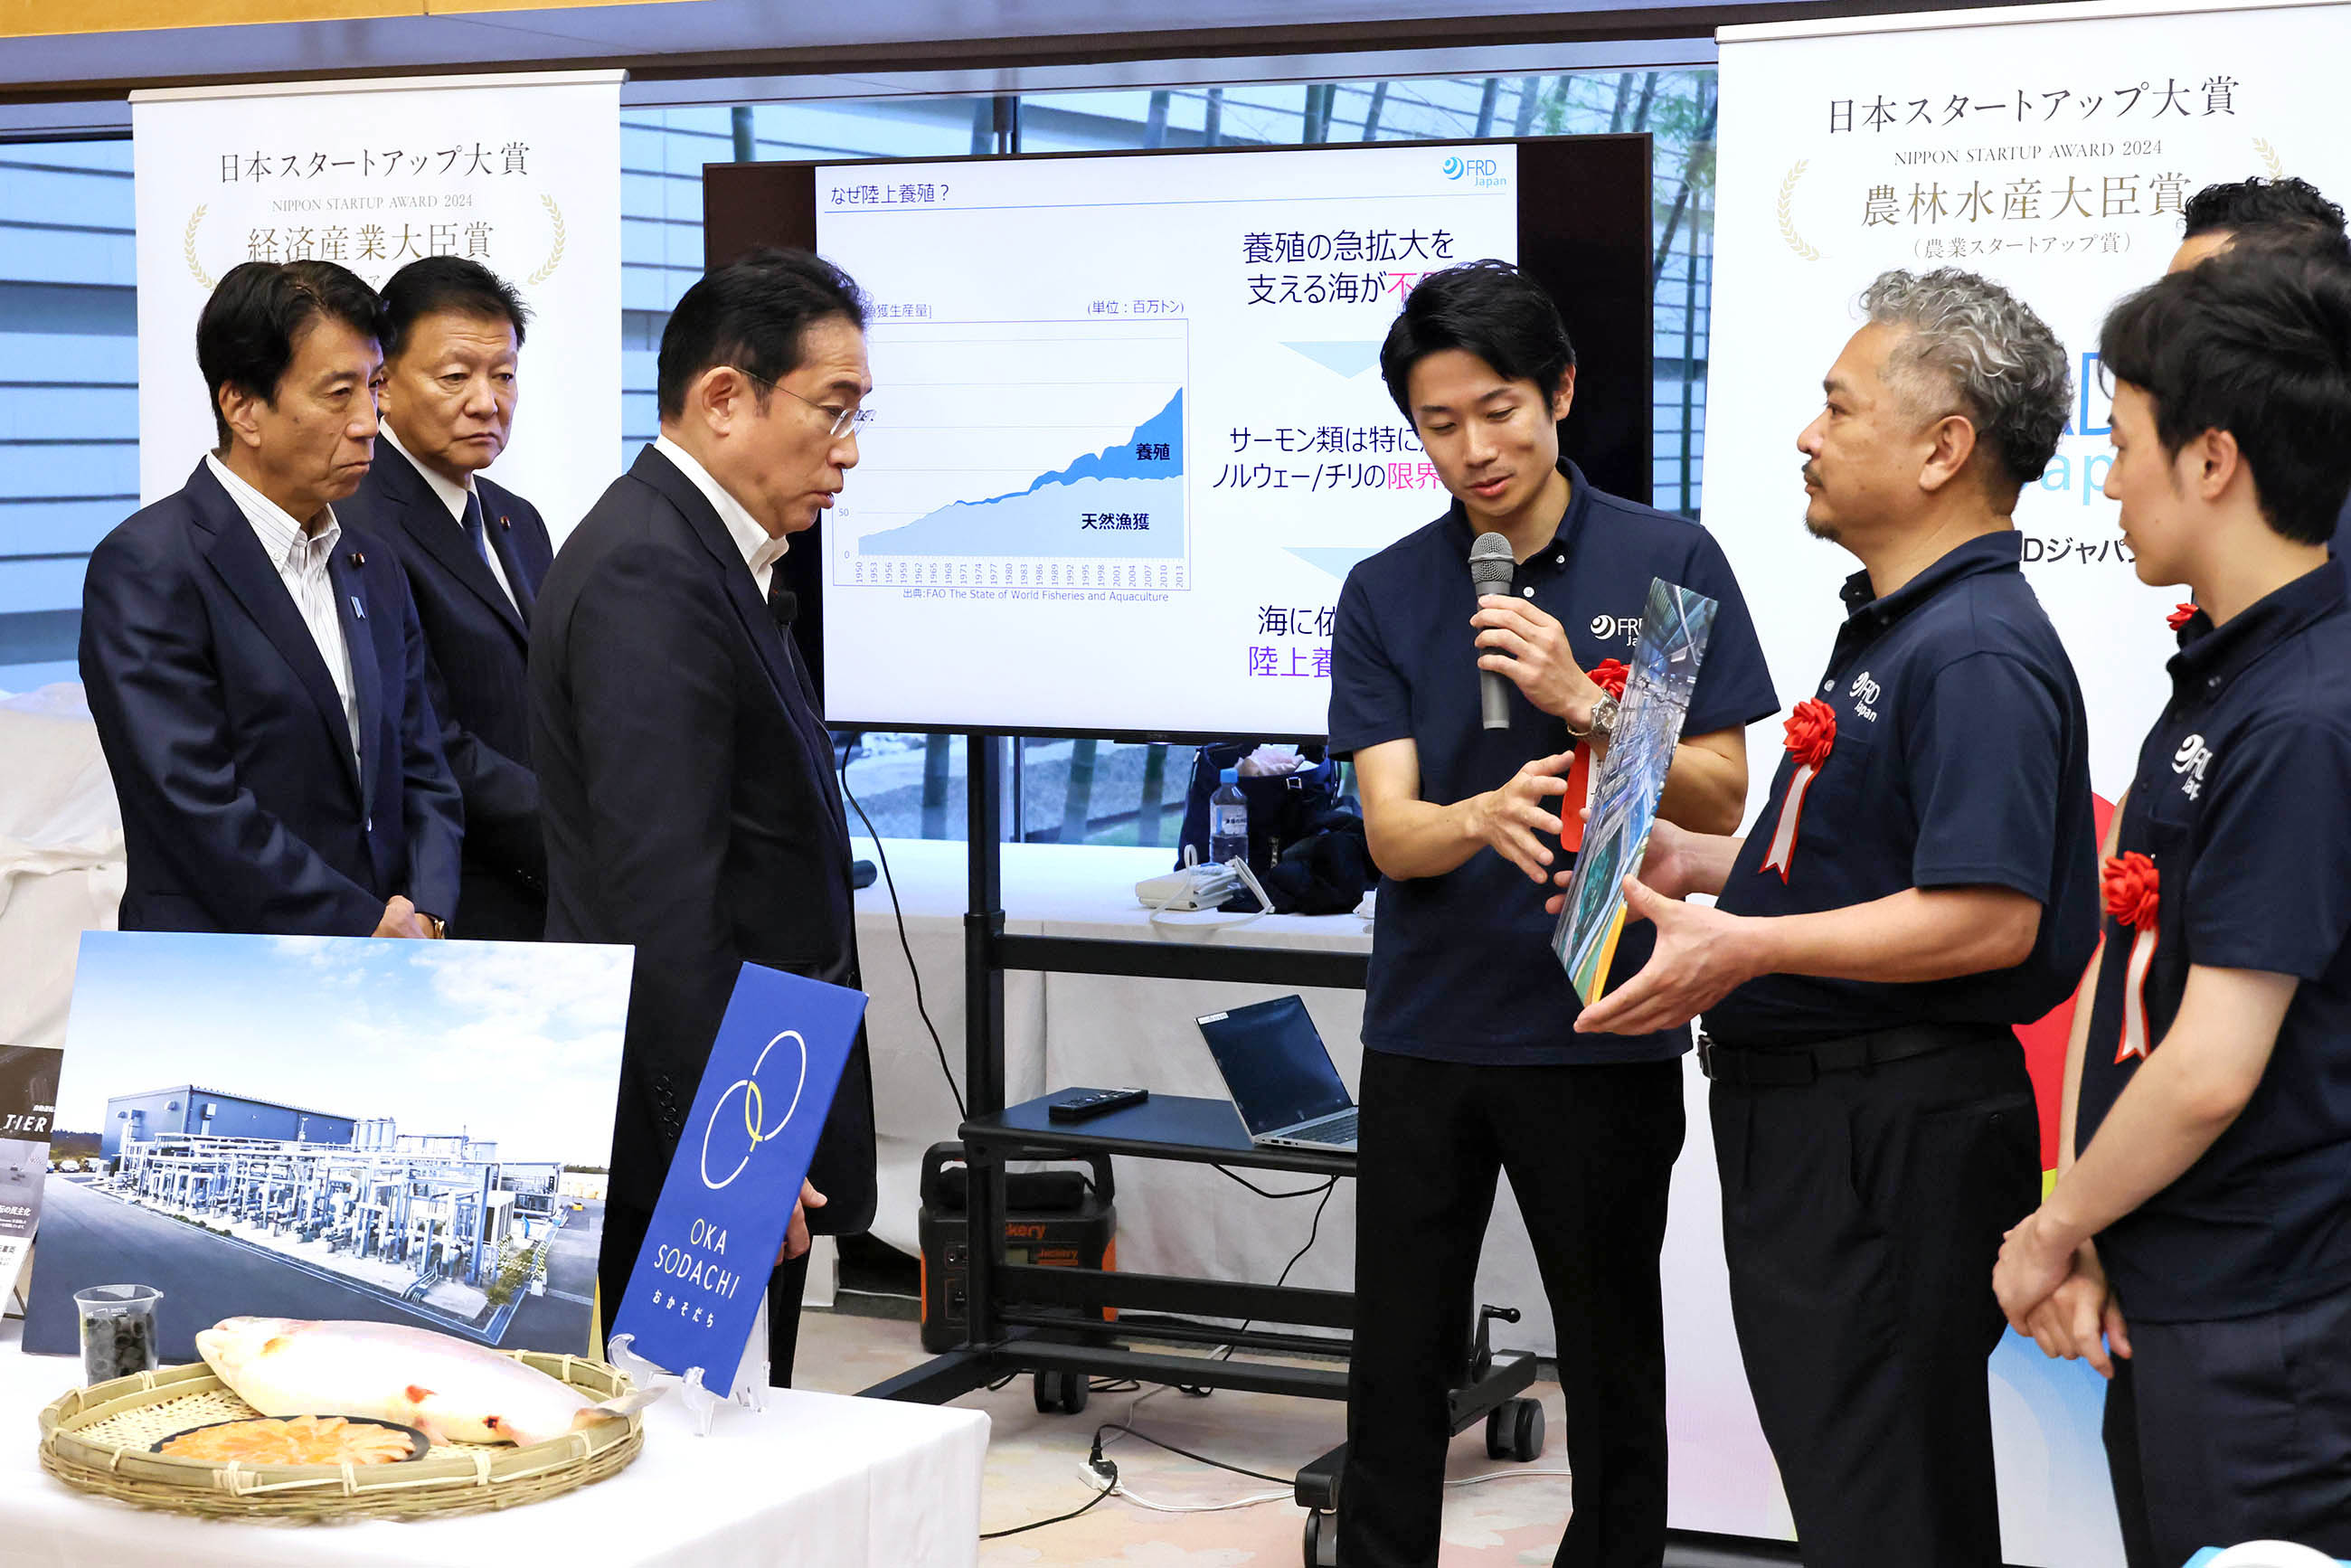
pixel 2049 149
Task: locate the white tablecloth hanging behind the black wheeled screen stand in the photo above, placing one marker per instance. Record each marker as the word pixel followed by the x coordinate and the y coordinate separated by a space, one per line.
pixel 1116 1031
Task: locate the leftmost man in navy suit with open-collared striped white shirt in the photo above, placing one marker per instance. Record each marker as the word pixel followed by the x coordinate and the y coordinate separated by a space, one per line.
pixel 255 669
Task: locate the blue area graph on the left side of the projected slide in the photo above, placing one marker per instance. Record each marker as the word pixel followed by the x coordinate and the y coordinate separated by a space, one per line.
pixel 1024 455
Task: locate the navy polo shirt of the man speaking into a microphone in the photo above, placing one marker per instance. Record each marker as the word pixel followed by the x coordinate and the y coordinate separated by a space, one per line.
pixel 1461 965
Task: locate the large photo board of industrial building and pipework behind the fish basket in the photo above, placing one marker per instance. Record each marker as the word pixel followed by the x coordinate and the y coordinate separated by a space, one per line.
pixel 342 1139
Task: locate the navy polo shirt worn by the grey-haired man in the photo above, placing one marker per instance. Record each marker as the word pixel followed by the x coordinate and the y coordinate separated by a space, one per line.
pixel 1960 760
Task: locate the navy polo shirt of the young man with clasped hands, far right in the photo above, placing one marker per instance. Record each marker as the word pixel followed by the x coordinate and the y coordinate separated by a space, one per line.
pixel 2242 805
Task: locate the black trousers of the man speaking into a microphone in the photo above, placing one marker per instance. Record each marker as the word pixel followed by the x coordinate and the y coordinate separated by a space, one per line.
pixel 1590 1153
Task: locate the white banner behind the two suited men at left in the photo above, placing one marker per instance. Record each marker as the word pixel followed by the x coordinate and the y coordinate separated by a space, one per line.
pixel 518 173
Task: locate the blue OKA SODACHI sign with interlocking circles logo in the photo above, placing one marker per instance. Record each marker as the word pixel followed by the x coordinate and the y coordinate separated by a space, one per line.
pixel 730 1193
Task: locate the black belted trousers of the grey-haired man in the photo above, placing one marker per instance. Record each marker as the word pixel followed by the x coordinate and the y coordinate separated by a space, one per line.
pixel 1861 1224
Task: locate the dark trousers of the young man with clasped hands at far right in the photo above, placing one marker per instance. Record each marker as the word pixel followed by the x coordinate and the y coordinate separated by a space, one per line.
pixel 2235 1430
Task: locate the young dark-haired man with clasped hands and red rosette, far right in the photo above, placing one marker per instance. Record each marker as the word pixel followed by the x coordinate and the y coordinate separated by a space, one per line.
pixel 2209 1087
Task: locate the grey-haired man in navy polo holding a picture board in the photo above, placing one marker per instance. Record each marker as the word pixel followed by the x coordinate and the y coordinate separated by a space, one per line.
pixel 1922 880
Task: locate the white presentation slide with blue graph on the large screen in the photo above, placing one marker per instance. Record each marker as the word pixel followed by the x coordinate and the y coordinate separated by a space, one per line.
pixel 1130 427
